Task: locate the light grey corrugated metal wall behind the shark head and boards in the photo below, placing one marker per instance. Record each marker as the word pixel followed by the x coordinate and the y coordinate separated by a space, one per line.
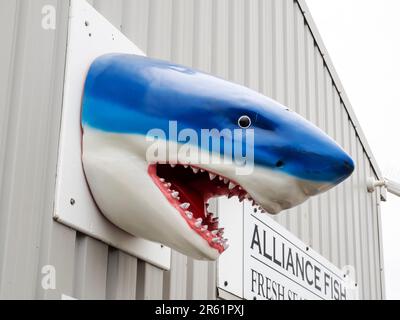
pixel 267 45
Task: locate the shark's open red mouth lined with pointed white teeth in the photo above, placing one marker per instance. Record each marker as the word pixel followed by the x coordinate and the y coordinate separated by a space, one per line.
pixel 188 189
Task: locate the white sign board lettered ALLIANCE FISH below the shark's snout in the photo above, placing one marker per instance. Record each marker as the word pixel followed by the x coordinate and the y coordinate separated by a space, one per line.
pixel 276 265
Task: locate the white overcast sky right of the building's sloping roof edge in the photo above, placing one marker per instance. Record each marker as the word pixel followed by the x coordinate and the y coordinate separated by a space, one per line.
pixel 363 40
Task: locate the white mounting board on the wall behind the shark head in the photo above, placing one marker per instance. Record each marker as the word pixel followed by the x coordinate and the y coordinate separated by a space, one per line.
pixel 90 35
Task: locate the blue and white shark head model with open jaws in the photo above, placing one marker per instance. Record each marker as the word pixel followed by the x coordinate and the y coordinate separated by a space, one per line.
pixel 128 96
